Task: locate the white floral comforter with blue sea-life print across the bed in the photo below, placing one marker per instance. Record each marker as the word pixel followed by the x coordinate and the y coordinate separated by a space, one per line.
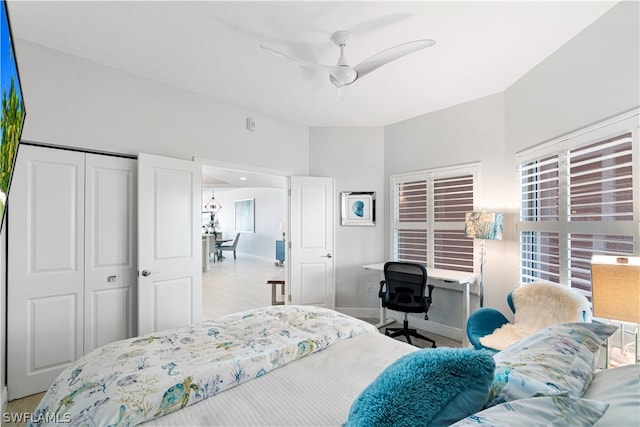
pixel 131 381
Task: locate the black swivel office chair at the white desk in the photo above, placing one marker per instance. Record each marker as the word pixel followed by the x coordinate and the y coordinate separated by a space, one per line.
pixel 403 289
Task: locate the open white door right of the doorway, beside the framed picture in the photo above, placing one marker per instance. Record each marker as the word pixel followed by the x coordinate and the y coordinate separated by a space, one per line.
pixel 311 262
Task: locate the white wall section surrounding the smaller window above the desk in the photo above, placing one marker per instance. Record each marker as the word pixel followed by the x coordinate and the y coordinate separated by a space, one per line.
pixel 466 133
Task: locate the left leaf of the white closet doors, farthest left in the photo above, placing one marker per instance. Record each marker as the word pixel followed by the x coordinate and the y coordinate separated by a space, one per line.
pixel 45 268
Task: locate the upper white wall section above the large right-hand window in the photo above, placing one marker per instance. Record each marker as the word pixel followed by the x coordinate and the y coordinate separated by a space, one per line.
pixel 592 77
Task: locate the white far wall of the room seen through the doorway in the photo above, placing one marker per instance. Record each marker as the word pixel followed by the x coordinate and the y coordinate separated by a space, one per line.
pixel 270 204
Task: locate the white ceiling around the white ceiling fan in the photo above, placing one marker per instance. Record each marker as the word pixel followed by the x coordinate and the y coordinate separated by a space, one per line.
pixel 212 48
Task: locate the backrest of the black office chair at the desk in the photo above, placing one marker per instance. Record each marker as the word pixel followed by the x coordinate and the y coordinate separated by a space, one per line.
pixel 405 287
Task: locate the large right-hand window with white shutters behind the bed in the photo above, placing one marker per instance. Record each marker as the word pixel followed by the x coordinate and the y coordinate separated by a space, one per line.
pixel 578 198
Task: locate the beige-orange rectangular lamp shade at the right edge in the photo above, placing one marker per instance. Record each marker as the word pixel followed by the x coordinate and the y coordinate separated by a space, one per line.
pixel 615 287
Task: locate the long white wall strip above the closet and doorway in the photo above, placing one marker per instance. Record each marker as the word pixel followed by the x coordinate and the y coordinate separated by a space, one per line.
pixel 74 102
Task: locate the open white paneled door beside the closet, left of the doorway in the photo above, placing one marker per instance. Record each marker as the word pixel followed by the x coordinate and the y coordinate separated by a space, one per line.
pixel 169 243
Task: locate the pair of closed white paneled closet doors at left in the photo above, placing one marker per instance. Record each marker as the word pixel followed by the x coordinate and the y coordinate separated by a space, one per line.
pixel 70 276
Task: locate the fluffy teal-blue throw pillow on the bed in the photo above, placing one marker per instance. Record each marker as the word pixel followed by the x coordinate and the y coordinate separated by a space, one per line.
pixel 430 387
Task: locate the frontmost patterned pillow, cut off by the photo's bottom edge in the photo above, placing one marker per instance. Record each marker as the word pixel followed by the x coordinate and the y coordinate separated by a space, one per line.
pixel 558 411
